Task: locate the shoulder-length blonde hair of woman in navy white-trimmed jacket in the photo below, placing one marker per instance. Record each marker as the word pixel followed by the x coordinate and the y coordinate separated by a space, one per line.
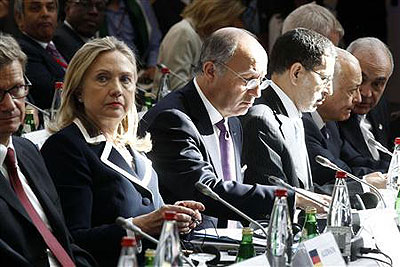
pixel 71 108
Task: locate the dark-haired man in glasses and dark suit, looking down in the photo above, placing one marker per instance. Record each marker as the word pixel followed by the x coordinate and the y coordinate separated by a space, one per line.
pixel 302 66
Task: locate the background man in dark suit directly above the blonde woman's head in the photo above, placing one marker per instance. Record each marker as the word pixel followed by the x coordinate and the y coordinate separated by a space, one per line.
pixel 82 20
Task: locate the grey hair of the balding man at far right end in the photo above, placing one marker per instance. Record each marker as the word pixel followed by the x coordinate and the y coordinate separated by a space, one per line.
pixel 372 44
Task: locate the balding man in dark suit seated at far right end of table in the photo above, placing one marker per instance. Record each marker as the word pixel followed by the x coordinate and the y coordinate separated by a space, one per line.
pixel 370 117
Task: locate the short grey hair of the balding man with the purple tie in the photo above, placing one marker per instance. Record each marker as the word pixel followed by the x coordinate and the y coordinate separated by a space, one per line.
pixel 219 47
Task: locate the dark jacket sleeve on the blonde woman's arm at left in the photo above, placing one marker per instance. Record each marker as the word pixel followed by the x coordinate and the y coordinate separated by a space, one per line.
pixel 72 175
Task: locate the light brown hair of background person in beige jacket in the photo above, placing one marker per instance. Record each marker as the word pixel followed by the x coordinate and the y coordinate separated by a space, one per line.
pixel 208 16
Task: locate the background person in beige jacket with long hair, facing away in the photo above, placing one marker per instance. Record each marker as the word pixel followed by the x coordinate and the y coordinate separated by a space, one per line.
pixel 180 48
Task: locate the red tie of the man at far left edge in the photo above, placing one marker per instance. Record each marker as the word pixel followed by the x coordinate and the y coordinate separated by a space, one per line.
pixel 58 251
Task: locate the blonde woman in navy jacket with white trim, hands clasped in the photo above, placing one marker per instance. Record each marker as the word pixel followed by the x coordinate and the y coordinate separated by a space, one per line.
pixel 95 159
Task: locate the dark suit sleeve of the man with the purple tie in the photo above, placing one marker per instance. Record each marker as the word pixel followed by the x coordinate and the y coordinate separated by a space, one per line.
pixel 181 159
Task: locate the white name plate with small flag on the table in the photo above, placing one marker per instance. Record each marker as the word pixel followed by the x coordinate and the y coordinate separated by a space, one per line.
pixel 319 251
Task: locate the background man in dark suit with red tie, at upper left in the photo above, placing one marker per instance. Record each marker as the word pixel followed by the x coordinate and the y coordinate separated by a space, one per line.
pixel 46 65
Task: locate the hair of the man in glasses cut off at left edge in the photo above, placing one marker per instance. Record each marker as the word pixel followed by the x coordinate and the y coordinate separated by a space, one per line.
pixel 10 51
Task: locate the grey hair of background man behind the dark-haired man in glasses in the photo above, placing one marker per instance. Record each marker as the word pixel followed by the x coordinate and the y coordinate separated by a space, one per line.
pixel 313 17
